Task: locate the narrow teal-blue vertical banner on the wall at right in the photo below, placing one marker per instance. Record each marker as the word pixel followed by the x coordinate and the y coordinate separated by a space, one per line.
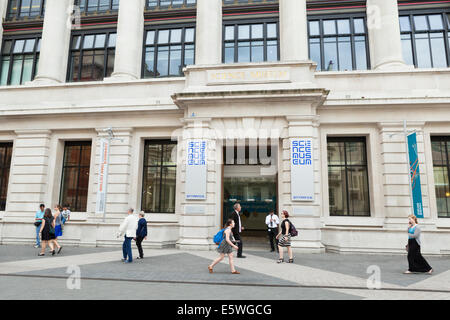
pixel 415 175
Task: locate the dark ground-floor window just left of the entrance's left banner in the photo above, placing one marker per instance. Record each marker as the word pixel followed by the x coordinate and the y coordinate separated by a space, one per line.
pixel 159 182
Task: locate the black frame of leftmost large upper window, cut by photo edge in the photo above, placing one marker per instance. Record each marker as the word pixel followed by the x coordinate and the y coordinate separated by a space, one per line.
pixel 37 37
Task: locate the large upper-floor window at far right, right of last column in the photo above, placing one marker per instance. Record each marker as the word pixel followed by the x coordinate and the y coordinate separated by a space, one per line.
pixel 425 39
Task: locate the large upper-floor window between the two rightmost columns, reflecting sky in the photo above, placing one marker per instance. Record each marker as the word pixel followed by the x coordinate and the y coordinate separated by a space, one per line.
pixel 338 44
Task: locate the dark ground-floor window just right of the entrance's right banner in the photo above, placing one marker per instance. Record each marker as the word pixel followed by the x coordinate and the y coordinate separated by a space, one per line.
pixel 348 182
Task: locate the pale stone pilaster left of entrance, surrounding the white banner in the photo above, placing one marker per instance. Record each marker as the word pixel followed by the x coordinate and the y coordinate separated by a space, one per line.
pixel 198 217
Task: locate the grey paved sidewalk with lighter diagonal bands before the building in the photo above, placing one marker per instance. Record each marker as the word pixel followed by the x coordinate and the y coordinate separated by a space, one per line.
pixel 312 276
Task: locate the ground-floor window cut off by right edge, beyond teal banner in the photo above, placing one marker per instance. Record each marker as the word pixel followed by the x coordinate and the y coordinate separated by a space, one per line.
pixel 441 167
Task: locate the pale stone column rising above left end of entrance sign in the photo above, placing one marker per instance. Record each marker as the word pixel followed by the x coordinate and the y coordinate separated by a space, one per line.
pixel 208 43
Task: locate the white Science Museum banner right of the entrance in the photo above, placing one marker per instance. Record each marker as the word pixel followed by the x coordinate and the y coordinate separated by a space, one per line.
pixel 302 169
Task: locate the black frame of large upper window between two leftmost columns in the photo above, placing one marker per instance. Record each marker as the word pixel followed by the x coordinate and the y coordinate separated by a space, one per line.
pixel 81 50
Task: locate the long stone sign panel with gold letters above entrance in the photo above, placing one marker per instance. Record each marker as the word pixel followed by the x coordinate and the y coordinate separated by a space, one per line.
pixel 244 76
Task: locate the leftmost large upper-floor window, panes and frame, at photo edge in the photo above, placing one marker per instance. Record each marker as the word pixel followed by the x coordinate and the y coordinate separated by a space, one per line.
pixel 19 60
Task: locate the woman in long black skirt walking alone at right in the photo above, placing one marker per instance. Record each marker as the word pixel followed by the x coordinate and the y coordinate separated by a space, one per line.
pixel 416 261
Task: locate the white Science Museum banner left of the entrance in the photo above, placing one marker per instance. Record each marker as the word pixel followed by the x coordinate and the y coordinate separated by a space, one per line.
pixel 196 169
